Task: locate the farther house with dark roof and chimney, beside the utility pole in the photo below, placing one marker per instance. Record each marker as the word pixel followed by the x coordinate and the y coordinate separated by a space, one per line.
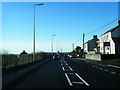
pixel 90 45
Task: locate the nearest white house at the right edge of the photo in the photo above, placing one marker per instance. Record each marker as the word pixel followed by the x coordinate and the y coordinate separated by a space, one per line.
pixel 110 41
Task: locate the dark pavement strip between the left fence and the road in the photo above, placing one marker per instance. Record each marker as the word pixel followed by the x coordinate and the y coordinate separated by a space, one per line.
pixel 10 77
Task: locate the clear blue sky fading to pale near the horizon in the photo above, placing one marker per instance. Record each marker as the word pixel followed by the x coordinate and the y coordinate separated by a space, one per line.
pixel 67 20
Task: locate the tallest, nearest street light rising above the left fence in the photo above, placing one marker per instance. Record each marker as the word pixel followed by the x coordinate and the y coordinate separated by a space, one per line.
pixel 34 32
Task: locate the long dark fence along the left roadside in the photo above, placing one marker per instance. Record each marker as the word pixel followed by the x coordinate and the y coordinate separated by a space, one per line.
pixel 9 61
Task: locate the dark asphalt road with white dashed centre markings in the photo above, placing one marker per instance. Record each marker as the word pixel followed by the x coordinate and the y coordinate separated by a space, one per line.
pixel 71 73
